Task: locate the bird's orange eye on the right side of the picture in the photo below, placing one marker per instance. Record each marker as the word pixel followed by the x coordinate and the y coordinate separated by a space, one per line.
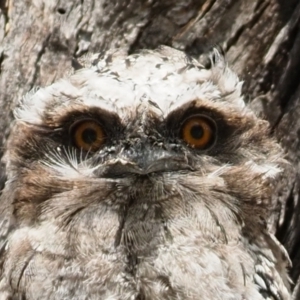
pixel 199 132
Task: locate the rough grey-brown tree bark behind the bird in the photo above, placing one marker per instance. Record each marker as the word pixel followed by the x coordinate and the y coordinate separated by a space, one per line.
pixel 261 39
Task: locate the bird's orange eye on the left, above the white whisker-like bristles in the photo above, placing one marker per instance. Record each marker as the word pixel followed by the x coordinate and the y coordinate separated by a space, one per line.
pixel 88 135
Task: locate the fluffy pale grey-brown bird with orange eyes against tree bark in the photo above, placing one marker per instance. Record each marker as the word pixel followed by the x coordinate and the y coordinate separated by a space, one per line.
pixel 141 176
